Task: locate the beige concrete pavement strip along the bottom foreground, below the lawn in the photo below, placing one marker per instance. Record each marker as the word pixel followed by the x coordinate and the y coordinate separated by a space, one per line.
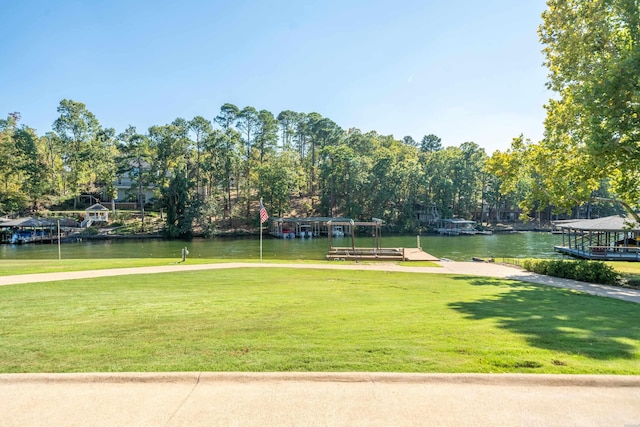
pixel 317 399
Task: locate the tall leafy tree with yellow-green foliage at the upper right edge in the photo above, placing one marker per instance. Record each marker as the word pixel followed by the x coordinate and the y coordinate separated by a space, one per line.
pixel 591 51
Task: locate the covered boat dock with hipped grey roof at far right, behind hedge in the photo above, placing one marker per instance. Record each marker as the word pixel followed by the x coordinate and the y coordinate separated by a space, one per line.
pixel 612 238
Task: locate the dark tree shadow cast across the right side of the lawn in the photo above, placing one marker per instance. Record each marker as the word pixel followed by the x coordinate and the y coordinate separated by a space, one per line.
pixel 559 319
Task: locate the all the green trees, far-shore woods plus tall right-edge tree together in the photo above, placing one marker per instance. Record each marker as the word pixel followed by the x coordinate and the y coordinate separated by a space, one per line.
pixel 210 173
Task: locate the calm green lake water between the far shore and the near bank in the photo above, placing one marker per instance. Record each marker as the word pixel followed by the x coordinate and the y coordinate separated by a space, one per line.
pixel 459 248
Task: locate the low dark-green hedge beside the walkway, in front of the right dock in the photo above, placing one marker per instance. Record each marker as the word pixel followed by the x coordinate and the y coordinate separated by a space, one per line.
pixel 585 271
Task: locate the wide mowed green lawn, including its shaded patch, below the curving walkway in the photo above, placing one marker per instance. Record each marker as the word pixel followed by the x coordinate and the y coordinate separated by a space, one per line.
pixel 311 320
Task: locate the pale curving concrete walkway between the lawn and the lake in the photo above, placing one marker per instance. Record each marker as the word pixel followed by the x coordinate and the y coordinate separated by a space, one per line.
pixel 464 268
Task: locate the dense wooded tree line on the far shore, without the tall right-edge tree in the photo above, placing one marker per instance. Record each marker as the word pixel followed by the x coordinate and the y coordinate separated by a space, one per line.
pixel 210 173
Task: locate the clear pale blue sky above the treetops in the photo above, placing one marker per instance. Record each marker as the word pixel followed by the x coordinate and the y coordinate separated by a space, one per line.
pixel 464 70
